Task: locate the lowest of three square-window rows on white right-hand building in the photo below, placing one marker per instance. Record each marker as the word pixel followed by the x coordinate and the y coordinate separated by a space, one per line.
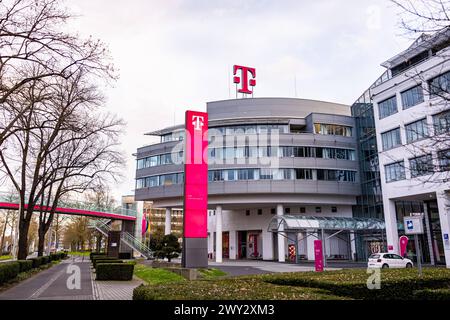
pixel 418 166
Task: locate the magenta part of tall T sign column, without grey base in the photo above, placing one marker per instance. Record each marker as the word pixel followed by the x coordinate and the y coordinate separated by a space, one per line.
pixel 196 175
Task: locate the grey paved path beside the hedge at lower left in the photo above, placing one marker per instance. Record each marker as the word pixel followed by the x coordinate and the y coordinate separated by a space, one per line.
pixel 51 284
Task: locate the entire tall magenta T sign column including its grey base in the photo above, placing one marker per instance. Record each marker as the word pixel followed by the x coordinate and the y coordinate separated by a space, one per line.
pixel 195 242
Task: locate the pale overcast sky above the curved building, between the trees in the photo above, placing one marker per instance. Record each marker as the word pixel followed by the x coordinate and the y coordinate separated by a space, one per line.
pixel 178 54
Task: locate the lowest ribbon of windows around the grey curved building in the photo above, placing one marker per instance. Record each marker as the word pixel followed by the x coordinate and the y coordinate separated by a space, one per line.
pixel 253 174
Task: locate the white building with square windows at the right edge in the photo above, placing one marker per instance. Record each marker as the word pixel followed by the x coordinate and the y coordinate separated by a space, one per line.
pixel 412 122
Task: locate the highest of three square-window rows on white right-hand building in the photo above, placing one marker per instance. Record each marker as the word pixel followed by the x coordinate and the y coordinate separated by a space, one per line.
pixel 437 86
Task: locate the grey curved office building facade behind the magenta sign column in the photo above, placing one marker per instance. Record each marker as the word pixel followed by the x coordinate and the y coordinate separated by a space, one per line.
pixel 266 157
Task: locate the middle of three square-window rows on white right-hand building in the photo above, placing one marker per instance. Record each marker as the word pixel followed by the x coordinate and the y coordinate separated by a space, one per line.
pixel 416 130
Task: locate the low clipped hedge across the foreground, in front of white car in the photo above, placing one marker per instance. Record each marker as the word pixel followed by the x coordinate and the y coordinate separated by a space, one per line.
pixel 336 285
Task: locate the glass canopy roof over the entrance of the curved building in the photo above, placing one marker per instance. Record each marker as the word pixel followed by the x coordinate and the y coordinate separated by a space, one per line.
pixel 288 223
